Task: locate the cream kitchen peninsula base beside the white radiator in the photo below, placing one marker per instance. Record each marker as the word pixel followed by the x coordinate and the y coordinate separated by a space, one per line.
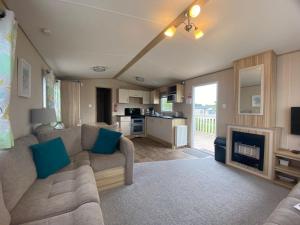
pixel 163 130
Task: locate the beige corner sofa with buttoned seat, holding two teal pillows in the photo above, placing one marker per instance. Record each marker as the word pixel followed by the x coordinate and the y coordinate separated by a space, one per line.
pixel 68 197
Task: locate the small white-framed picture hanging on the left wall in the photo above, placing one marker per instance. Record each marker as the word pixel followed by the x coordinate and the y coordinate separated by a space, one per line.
pixel 24 78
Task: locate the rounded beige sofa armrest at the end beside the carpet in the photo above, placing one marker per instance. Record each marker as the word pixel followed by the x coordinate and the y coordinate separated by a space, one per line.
pixel 127 148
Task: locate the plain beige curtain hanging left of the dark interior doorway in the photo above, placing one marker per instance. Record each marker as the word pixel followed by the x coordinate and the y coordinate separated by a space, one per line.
pixel 70 102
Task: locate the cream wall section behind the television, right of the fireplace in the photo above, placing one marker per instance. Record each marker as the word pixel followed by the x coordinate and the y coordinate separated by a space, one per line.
pixel 288 95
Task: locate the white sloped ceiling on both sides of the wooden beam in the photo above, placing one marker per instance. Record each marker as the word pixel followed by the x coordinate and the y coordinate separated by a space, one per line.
pixel 111 32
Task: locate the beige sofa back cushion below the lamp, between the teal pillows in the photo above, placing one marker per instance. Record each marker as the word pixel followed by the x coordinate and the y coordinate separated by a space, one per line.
pixel 71 138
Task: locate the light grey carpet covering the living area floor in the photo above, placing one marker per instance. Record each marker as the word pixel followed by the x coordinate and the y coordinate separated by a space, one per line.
pixel 191 192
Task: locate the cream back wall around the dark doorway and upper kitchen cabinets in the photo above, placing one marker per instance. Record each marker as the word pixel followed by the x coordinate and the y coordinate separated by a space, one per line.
pixel 88 97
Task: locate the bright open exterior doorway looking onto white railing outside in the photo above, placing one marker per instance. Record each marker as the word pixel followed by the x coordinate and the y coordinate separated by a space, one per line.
pixel 204 125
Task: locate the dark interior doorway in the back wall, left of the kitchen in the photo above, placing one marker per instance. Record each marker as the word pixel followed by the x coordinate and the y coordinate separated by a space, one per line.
pixel 104 105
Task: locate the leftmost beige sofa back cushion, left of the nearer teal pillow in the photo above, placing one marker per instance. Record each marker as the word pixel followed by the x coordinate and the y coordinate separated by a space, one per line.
pixel 17 170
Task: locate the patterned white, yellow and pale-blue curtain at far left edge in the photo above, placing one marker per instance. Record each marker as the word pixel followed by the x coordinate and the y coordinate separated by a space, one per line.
pixel 8 32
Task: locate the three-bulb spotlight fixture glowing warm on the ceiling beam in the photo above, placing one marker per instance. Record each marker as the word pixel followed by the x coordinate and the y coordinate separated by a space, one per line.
pixel 193 12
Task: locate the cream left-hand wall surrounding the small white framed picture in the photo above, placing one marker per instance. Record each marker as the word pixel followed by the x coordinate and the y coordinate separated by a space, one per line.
pixel 19 106
